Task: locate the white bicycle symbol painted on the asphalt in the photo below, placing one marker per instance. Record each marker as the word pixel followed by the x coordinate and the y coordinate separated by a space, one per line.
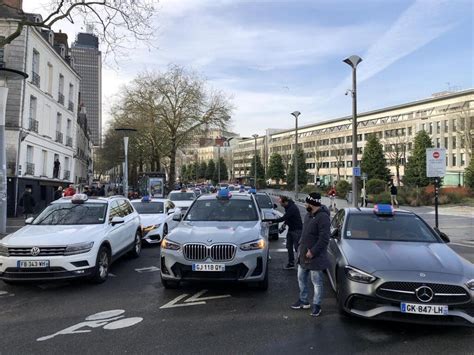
pixel 110 320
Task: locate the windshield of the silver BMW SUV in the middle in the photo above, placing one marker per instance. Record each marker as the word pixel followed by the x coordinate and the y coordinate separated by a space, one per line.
pixel 222 210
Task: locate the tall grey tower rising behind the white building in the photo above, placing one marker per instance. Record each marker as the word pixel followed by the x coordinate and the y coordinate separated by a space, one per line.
pixel 88 63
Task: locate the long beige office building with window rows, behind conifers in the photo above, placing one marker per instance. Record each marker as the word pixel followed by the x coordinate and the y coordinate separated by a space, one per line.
pixel 447 117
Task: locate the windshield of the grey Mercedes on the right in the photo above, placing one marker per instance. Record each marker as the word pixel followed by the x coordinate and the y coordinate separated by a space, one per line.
pixel 400 227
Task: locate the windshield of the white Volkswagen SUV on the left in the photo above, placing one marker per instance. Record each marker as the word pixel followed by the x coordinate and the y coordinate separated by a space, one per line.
pixel 69 213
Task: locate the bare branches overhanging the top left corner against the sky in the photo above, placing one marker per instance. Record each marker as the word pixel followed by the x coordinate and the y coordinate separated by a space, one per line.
pixel 114 19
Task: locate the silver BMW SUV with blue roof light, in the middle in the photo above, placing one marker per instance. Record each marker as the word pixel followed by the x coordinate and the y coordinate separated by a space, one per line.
pixel 221 237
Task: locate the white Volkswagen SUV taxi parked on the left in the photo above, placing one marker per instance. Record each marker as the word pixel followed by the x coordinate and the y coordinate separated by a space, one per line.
pixel 74 237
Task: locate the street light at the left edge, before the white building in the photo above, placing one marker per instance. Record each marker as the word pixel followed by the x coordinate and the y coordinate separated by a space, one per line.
pixel 5 76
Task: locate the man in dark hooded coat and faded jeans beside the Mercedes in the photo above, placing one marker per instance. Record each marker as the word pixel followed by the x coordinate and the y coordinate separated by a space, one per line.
pixel 313 258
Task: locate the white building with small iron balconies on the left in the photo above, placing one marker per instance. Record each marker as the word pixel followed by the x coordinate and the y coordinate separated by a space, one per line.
pixel 41 112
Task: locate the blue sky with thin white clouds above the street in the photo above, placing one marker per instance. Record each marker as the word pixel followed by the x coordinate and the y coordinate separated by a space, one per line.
pixel 274 57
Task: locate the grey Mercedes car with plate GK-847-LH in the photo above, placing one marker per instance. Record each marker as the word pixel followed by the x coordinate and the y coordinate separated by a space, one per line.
pixel 387 264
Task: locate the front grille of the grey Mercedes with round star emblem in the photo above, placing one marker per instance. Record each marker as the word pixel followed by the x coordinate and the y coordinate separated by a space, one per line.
pixel 406 291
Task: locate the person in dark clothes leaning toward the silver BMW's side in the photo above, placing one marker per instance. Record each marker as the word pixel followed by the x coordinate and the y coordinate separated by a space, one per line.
pixel 292 219
